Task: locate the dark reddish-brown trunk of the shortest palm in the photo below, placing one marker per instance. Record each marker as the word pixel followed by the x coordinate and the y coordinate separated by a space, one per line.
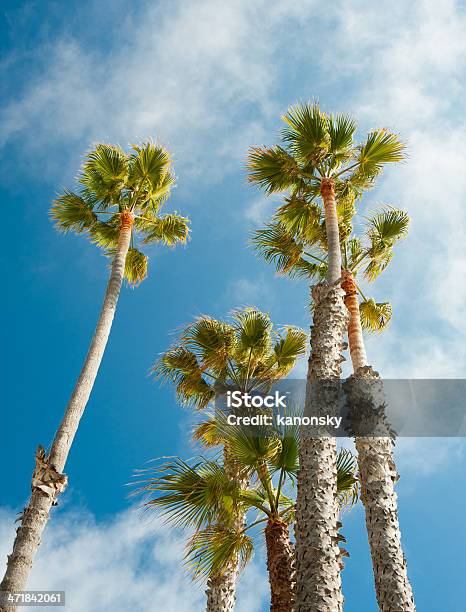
pixel 280 566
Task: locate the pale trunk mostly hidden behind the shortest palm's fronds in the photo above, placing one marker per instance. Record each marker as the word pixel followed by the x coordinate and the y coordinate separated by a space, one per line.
pixel 221 588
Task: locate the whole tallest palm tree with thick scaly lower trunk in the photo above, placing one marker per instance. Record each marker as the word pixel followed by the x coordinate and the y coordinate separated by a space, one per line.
pixel 318 158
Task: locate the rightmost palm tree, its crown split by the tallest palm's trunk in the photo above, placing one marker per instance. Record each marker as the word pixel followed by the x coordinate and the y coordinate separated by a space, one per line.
pixel 366 255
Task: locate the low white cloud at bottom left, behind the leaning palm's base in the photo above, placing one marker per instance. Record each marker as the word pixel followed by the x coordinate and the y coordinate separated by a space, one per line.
pixel 128 562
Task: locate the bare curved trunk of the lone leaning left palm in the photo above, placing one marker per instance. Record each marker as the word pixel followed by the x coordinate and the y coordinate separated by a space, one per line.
pixel 48 481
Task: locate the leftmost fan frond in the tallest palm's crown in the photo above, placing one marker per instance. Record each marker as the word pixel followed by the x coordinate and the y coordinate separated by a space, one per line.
pixel 274 169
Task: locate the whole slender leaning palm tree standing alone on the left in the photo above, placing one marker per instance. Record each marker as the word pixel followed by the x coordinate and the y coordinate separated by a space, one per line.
pixel 119 201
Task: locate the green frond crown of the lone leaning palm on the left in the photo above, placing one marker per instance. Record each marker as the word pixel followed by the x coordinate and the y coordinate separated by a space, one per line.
pixel 112 183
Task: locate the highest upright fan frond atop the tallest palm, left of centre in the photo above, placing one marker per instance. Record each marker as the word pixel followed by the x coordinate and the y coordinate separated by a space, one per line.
pixel 307 133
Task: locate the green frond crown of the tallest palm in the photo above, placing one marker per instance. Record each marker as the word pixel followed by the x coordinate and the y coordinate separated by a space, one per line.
pixel 317 146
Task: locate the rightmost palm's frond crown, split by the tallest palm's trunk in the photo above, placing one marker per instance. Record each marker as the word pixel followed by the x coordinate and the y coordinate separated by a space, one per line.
pixel 298 248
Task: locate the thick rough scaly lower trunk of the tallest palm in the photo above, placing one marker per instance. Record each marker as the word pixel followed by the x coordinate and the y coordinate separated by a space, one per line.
pixel 318 557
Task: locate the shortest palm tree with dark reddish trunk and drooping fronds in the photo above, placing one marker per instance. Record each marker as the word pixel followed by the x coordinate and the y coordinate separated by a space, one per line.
pixel 201 496
